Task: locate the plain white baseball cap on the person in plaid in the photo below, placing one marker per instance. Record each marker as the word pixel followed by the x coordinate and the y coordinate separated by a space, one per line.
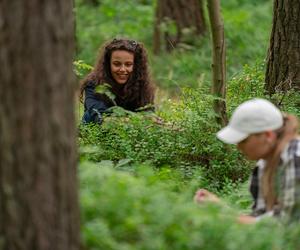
pixel 253 116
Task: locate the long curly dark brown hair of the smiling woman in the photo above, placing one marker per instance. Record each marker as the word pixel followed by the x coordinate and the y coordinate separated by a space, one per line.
pixel 138 90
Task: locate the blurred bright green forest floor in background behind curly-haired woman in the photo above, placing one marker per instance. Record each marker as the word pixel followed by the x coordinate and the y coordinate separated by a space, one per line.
pixel 247 29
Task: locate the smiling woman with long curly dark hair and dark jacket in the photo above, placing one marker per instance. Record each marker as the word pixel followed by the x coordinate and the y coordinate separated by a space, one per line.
pixel 123 66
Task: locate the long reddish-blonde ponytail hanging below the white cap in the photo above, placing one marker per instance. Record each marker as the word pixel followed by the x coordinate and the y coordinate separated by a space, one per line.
pixel 284 135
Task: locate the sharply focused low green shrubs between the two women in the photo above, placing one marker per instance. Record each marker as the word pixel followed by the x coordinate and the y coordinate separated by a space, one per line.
pixel 186 142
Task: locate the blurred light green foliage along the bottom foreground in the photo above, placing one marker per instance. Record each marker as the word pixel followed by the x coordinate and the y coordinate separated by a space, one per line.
pixel 125 211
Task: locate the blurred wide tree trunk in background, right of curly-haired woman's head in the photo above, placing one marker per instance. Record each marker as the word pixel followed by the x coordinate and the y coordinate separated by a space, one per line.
pixel 179 21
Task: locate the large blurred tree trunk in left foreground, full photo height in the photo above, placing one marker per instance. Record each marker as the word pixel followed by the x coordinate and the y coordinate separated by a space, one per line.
pixel 38 184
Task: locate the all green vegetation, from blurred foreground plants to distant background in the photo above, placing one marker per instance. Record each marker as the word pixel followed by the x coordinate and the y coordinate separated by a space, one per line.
pixel 139 171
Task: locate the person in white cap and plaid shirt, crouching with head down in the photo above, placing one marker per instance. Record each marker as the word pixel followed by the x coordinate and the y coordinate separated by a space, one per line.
pixel 262 133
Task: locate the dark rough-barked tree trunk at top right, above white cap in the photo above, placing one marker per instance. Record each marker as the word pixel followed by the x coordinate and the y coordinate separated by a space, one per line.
pixel 283 62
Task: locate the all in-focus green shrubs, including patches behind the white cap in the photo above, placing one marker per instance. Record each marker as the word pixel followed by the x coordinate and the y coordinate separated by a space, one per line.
pixel 181 134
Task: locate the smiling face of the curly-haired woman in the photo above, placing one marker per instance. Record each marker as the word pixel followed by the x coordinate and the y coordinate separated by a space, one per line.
pixel 121 65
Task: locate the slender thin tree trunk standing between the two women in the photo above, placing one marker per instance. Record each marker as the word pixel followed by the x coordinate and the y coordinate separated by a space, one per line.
pixel 218 65
